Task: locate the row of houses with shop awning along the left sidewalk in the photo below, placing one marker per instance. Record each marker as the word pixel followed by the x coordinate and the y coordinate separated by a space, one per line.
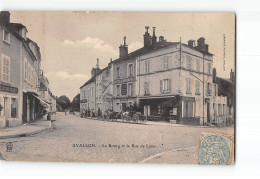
pixel 24 91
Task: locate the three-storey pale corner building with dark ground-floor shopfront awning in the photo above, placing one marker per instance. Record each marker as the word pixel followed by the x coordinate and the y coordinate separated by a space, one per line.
pixel 171 77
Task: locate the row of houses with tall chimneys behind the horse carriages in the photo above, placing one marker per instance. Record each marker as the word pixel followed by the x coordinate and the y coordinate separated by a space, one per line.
pixel 168 80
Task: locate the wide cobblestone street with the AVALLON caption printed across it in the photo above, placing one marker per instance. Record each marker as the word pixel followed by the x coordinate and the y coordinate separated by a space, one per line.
pixel 78 139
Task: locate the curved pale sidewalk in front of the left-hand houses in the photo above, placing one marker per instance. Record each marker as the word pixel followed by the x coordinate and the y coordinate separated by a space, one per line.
pixel 25 130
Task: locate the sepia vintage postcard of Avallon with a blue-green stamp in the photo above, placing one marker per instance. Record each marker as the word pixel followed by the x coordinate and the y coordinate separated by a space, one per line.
pixel 117 87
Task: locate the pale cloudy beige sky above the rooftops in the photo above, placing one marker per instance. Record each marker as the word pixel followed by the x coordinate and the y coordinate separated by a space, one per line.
pixel 70 42
